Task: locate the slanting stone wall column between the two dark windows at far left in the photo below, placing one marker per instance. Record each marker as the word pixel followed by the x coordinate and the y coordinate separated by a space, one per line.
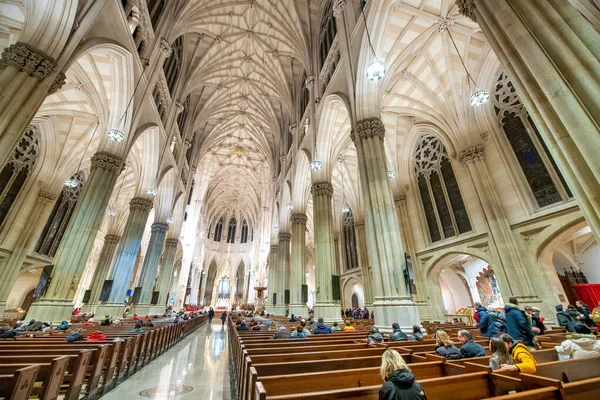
pixel 27 239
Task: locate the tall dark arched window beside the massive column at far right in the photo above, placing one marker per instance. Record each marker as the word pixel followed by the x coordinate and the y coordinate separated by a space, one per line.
pixel 538 166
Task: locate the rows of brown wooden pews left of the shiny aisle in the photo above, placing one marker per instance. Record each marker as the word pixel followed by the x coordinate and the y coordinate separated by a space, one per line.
pixel 47 367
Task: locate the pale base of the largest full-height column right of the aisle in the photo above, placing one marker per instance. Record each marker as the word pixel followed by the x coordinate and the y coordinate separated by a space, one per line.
pixel 402 310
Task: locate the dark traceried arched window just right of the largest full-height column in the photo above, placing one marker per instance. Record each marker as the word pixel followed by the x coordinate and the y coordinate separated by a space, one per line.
pixel 443 205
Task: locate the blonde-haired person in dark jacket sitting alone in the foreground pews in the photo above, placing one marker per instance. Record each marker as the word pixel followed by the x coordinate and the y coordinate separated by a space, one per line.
pixel 400 383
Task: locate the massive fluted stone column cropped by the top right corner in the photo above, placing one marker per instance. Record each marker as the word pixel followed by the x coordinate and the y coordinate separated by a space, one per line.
pixel 552 55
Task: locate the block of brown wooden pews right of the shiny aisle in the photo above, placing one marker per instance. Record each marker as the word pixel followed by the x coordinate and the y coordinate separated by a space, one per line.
pixel 344 366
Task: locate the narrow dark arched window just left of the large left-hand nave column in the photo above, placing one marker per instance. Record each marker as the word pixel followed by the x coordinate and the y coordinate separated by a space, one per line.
pixel 59 218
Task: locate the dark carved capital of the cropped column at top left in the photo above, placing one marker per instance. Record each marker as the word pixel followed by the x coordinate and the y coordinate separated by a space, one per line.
pixel 26 58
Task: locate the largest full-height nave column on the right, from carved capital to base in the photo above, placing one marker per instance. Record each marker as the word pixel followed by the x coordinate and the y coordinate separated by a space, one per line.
pixel 391 301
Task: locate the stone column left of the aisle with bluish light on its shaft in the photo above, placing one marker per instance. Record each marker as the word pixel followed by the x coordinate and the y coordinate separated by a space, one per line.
pixel 139 209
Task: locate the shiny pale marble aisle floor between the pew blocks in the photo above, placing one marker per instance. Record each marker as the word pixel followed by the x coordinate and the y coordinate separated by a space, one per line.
pixel 197 367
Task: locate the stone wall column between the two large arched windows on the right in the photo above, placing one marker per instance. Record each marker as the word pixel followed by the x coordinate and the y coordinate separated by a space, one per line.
pixel 515 278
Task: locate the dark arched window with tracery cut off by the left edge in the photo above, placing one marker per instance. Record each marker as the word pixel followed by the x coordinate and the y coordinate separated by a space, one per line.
pixel 18 169
